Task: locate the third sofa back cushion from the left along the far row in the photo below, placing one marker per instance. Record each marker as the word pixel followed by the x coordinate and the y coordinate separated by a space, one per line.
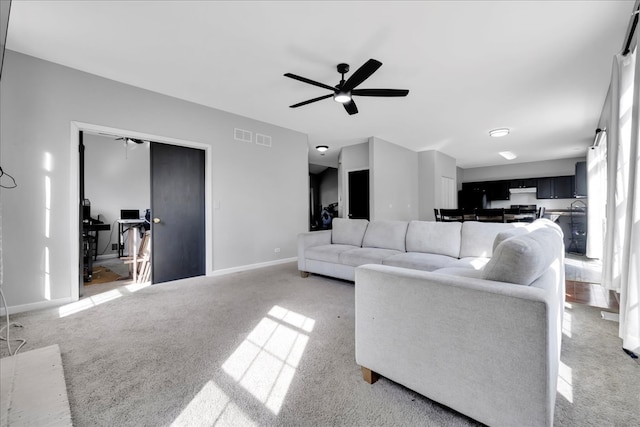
pixel 441 238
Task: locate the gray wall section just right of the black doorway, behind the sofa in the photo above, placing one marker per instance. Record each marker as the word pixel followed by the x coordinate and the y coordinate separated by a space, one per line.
pixel 394 181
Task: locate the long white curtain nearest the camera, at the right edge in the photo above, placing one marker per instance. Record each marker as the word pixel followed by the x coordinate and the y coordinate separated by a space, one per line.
pixel 621 257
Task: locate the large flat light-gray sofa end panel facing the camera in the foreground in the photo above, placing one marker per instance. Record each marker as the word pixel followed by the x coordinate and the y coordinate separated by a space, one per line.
pixel 486 349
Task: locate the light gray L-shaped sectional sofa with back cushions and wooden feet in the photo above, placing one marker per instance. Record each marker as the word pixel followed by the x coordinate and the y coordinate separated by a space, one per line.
pixel 467 314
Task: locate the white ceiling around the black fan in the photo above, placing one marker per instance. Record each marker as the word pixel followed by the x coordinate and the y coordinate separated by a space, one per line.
pixel 540 68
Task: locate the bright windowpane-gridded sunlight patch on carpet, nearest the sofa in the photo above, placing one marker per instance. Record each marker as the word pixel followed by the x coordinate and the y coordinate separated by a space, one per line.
pixel 266 361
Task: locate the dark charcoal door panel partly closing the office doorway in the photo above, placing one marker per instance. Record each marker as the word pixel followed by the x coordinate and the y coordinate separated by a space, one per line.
pixel 177 212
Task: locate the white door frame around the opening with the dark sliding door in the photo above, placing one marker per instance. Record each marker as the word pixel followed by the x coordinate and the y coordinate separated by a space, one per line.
pixel 74 178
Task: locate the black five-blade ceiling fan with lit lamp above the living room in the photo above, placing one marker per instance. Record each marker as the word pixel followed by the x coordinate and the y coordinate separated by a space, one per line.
pixel 344 90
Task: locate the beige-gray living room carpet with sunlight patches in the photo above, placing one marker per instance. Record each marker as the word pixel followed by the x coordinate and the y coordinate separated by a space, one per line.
pixel 266 347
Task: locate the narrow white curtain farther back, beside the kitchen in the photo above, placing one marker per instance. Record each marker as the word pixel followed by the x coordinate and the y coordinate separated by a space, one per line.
pixel 597 190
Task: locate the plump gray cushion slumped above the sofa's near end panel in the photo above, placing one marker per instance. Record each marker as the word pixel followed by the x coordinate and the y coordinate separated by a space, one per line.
pixel 522 259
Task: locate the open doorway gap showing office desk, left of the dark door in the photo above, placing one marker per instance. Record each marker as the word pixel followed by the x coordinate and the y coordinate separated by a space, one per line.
pixel 114 197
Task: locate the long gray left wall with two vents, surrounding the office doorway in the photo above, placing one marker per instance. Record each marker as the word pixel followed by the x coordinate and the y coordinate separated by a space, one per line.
pixel 38 102
